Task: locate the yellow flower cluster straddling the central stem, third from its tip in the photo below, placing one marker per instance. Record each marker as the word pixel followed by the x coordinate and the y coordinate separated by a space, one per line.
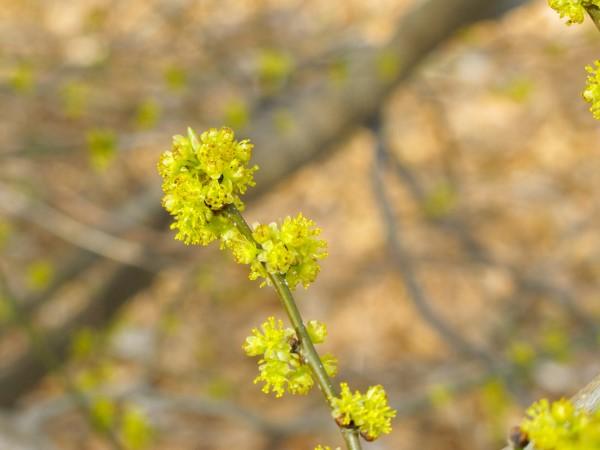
pixel 281 367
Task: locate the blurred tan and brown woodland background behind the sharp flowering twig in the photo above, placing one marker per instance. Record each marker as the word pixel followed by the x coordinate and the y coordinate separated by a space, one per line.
pixel 442 146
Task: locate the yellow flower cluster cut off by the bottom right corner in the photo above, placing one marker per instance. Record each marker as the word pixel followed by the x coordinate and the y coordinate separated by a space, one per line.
pixel 560 426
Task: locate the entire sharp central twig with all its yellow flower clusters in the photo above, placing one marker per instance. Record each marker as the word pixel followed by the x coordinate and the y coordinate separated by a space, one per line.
pixel 203 178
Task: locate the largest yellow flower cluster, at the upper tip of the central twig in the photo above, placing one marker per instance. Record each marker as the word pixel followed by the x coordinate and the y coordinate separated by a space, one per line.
pixel 200 176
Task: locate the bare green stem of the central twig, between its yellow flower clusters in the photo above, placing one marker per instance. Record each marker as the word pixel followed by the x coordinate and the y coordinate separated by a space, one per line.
pixel 309 352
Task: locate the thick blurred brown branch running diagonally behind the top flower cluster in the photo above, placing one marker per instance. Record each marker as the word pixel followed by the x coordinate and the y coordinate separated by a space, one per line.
pixel 320 116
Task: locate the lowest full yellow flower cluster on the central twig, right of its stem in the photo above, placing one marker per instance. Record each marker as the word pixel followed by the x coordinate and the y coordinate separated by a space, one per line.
pixel 369 412
